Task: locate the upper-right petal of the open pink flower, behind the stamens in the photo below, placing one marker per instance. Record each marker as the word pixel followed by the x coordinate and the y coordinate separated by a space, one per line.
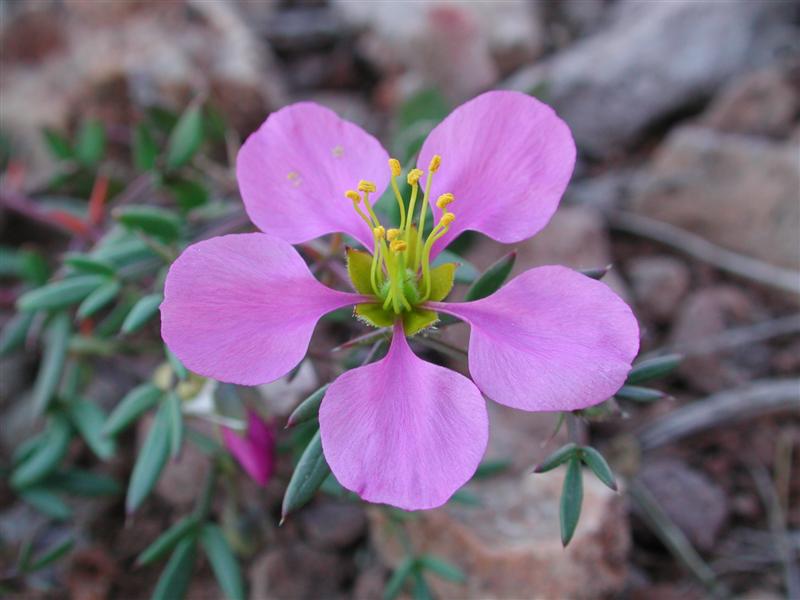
pixel 507 158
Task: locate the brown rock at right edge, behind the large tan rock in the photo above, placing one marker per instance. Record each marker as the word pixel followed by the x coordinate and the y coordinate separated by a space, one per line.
pixel 766 102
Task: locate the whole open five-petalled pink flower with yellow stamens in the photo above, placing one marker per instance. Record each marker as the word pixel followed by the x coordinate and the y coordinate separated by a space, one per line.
pixel 402 431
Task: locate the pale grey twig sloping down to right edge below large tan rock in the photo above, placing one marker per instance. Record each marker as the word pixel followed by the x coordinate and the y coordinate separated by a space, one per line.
pixel 786 280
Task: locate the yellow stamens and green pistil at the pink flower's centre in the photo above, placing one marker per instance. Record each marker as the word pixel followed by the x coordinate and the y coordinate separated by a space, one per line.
pixel 400 273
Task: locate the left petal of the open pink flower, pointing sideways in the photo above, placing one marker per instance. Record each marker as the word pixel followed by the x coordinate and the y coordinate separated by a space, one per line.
pixel 242 308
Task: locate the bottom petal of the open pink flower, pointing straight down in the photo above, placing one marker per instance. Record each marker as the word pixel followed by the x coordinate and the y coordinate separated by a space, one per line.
pixel 403 431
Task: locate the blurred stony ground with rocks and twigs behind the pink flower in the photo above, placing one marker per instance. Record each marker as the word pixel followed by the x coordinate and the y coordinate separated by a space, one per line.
pixel 687 118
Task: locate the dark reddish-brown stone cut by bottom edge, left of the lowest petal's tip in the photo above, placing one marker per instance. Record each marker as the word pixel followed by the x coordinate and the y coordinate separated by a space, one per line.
pixel 299 572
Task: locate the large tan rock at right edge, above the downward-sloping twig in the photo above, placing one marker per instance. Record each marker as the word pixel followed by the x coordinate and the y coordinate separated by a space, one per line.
pixel 735 191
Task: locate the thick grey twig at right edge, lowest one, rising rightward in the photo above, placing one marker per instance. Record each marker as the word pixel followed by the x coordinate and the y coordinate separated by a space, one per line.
pixel 760 398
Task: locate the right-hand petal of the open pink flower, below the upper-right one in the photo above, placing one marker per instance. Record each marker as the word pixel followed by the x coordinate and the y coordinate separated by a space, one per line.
pixel 550 340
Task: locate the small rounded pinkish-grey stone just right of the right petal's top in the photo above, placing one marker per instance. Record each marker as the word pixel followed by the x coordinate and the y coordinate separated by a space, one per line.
pixel 659 284
